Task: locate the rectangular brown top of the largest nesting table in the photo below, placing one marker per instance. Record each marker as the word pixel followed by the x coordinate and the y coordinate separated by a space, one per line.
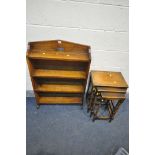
pixel 108 78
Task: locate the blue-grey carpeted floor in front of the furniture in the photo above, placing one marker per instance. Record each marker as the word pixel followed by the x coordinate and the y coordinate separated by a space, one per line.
pixel 68 130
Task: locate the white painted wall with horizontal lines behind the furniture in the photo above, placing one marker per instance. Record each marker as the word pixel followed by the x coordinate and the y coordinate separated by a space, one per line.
pixel 102 24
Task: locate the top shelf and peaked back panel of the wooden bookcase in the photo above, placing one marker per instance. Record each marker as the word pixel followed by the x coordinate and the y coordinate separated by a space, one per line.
pixel 58 50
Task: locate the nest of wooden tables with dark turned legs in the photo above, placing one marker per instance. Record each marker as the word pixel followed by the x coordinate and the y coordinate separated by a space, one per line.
pixel 105 88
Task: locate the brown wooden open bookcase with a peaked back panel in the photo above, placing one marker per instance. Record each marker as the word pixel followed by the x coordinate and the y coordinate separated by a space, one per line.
pixel 58 71
